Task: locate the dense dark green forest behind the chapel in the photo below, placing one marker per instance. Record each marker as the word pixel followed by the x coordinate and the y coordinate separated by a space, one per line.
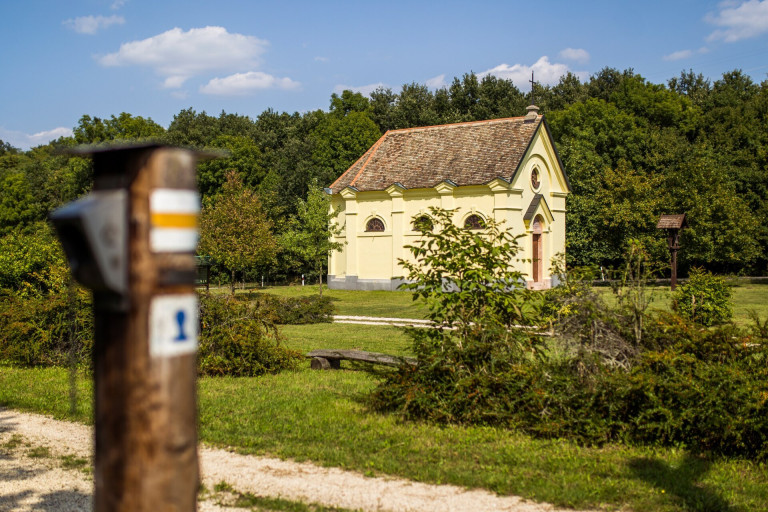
pixel 633 150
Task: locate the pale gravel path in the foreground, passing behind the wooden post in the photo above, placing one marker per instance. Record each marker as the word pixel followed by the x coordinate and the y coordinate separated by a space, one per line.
pixel 34 450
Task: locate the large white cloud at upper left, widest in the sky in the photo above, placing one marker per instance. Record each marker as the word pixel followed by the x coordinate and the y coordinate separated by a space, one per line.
pixel 178 55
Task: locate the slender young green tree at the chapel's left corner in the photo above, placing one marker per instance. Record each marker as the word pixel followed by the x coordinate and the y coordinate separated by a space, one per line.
pixel 309 238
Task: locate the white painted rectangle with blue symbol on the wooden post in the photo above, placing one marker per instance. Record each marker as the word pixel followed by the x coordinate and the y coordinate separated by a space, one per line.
pixel 173 325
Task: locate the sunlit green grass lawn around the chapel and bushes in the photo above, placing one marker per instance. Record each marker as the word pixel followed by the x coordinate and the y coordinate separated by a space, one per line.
pixel 322 417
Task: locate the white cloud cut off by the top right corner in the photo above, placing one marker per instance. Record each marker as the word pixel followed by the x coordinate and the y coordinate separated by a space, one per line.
pixel 739 20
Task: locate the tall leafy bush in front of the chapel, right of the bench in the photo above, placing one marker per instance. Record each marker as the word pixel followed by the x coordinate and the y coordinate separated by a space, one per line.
pixel 465 279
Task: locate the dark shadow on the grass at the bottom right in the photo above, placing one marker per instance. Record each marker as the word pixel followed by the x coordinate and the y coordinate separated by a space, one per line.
pixel 683 482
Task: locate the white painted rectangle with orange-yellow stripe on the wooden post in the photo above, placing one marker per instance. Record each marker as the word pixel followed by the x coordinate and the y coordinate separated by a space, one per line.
pixel 173 220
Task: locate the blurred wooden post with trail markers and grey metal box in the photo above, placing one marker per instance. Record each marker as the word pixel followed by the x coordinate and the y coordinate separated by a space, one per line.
pixel 132 240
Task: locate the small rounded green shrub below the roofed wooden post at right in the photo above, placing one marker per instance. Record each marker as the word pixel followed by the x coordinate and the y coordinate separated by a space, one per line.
pixel 704 298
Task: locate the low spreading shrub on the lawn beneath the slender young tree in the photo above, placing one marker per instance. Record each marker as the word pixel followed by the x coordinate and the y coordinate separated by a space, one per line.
pixel 310 309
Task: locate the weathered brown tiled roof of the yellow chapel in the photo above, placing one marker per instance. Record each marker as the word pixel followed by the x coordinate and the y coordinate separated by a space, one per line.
pixel 473 153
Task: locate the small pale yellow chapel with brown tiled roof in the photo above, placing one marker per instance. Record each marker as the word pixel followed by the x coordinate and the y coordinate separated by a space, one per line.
pixel 504 169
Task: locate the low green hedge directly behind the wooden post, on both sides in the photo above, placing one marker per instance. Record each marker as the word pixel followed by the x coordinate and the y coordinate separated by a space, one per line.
pixel 236 337
